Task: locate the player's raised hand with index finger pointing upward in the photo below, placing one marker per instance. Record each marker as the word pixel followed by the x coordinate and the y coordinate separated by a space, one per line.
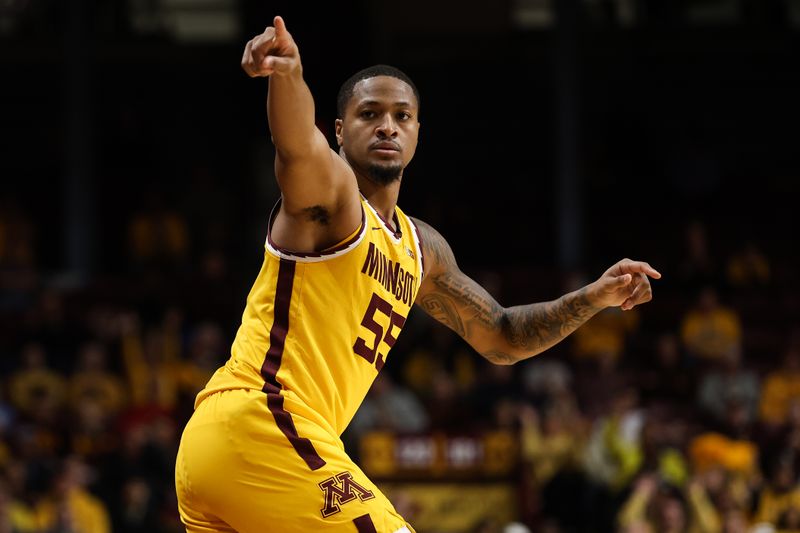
pixel 272 52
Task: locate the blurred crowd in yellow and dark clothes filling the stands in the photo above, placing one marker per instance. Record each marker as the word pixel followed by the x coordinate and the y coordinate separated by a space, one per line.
pixel 682 415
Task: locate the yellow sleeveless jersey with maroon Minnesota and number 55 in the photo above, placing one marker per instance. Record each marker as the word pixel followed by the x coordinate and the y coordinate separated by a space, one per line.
pixel 317 327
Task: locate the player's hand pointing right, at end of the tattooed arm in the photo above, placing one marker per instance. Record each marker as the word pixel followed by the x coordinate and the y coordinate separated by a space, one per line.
pixel 626 284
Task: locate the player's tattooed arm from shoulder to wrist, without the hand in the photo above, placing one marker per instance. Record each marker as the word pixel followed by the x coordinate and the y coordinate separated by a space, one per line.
pixel 464 306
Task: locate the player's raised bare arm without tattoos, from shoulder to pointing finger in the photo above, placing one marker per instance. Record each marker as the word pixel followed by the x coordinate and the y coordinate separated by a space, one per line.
pixel 320 201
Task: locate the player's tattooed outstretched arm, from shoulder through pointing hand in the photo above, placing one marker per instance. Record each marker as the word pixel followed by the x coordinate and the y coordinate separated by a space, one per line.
pixel 505 335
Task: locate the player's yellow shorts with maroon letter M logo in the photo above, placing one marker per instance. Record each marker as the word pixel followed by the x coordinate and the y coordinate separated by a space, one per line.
pixel 237 471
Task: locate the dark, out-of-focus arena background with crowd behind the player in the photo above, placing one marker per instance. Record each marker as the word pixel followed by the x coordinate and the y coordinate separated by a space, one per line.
pixel 558 136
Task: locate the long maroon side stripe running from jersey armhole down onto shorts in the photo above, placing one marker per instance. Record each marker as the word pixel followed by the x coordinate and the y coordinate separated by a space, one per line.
pixel 272 362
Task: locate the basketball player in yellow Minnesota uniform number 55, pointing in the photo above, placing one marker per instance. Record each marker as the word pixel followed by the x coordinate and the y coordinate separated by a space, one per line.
pixel 342 267
